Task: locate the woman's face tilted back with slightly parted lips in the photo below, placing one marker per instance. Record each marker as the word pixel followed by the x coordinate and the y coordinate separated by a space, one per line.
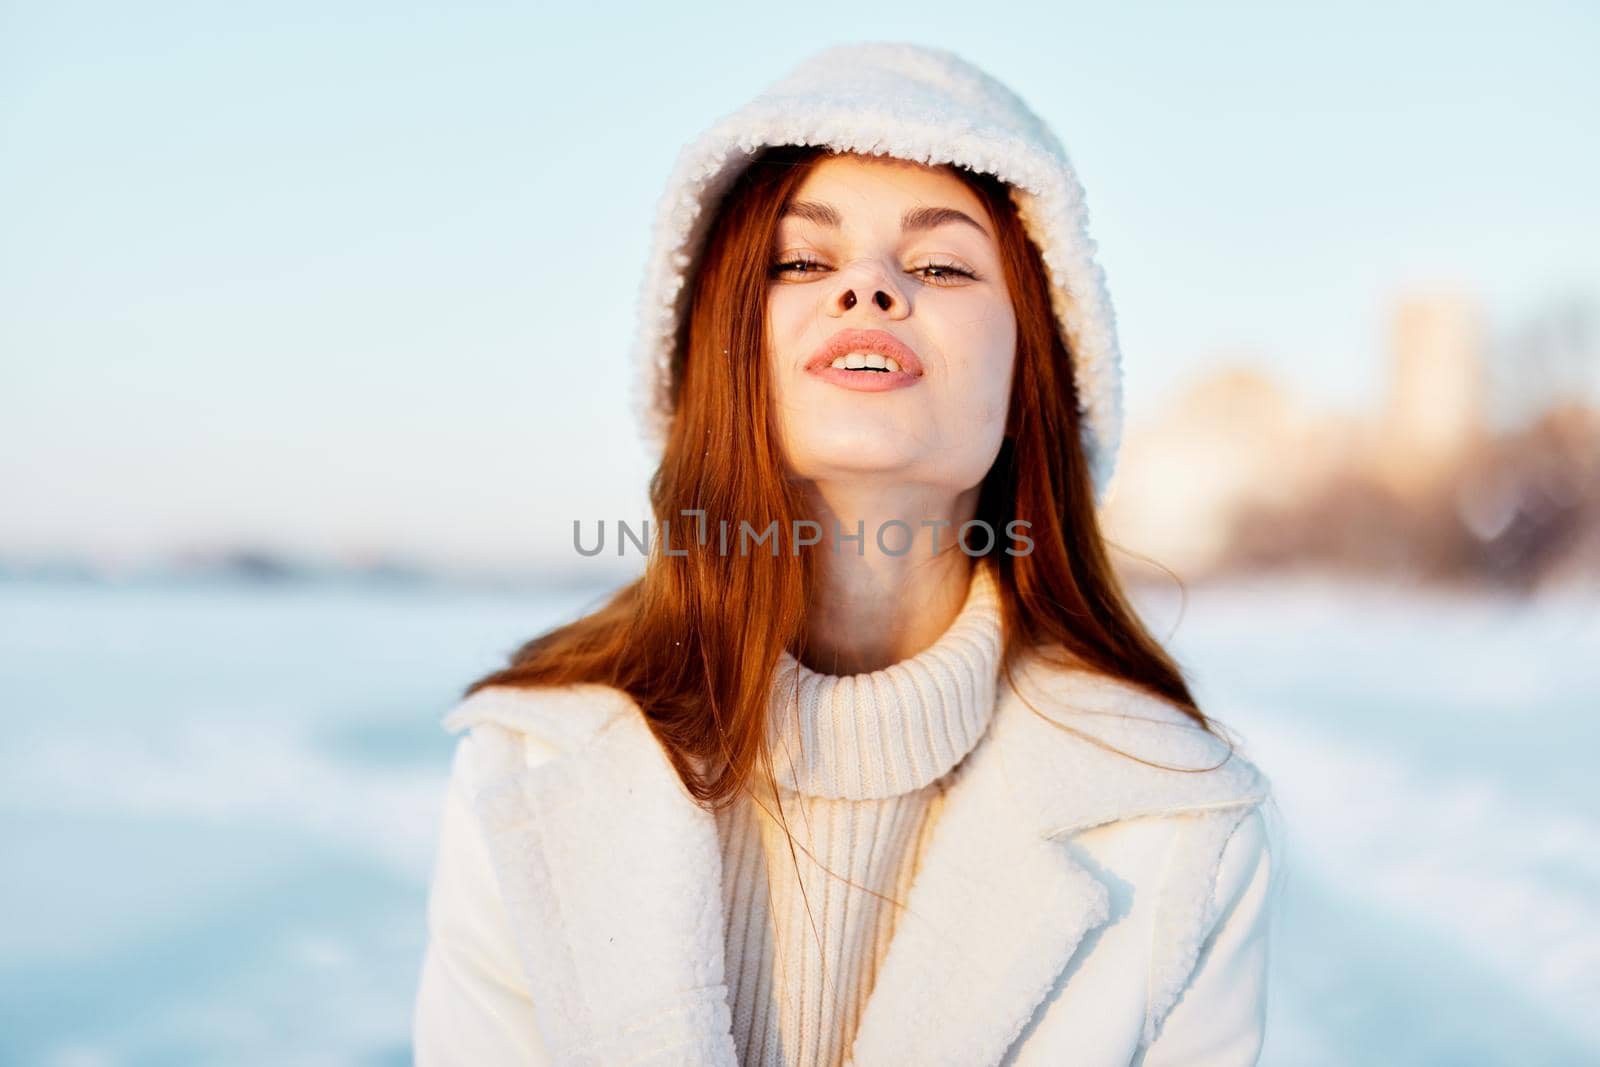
pixel 892 265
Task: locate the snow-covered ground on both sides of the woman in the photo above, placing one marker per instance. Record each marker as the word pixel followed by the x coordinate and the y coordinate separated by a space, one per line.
pixel 218 809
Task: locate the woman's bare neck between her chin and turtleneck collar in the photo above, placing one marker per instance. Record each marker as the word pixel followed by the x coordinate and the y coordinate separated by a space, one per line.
pixel 873 609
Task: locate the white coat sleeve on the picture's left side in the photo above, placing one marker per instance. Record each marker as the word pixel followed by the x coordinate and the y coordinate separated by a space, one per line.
pixel 473 1004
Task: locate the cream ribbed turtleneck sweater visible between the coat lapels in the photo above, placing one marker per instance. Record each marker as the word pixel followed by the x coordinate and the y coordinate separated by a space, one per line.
pixel 862 764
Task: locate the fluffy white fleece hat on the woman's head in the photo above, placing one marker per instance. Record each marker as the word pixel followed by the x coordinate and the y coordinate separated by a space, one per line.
pixel 913 103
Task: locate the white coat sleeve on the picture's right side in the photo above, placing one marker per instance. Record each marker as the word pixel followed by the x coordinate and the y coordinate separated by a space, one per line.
pixel 1220 1020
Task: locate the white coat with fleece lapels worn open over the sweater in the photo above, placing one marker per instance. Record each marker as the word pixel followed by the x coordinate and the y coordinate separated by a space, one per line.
pixel 1074 906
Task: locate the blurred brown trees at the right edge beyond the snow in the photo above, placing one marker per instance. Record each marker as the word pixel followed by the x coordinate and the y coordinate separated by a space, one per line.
pixel 1518 506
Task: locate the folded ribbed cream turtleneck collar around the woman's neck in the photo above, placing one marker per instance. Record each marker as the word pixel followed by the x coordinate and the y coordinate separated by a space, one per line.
pixel 890 732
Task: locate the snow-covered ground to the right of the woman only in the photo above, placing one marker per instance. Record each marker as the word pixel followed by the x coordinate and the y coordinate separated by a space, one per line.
pixel 1433 762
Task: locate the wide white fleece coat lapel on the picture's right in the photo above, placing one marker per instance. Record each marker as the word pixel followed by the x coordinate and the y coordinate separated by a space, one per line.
pixel 999 905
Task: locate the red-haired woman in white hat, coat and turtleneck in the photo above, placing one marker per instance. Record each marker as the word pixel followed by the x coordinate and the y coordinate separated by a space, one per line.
pixel 874 764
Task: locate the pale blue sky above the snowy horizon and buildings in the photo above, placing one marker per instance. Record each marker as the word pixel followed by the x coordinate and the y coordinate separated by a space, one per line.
pixel 361 278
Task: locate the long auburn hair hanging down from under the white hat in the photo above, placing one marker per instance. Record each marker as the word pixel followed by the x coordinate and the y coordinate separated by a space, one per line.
pixel 697 639
